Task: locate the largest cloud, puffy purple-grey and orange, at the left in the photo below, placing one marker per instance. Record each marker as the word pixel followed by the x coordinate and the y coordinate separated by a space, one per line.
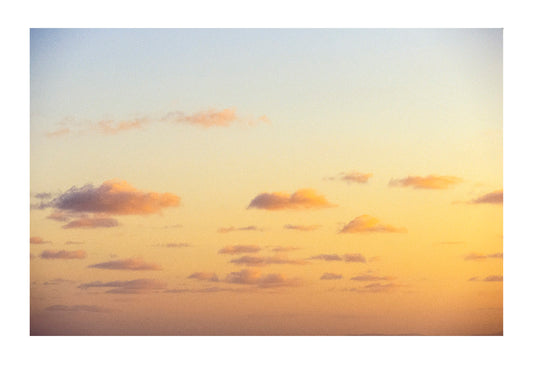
pixel 113 197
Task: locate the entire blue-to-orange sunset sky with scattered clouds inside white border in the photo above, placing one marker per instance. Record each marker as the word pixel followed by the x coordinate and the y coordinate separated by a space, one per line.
pixel 266 182
